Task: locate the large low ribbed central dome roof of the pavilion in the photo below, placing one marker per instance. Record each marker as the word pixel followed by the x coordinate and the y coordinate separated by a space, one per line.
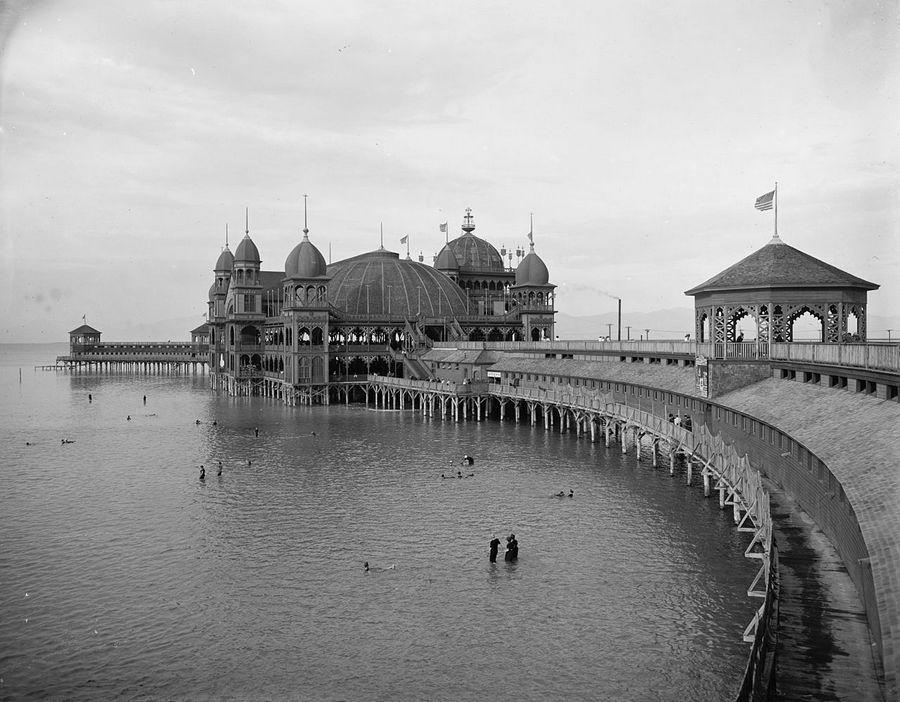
pixel 380 283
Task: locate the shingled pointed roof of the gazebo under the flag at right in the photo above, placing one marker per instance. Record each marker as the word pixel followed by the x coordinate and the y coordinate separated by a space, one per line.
pixel 777 265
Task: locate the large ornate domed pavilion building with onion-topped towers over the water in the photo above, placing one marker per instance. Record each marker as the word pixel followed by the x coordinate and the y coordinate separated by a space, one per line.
pixel 293 332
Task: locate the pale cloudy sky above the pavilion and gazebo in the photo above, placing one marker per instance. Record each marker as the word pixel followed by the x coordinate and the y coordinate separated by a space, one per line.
pixel 638 134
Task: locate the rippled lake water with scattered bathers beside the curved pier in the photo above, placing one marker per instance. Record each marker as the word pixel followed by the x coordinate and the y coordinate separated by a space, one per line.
pixel 122 576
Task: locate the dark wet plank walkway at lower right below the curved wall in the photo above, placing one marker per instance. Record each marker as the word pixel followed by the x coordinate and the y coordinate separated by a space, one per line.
pixel 825 651
